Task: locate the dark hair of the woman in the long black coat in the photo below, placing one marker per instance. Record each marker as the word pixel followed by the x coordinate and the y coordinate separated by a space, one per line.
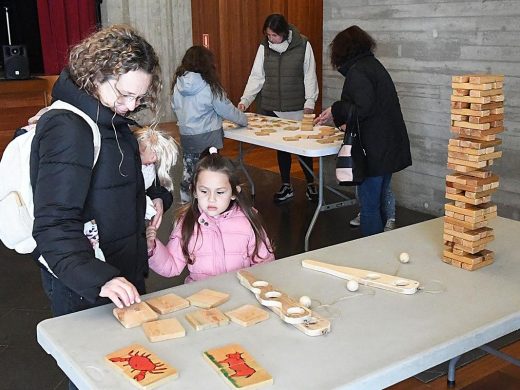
pixel 348 44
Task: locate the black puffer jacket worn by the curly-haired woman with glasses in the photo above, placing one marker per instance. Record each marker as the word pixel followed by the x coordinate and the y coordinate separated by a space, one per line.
pixel 68 192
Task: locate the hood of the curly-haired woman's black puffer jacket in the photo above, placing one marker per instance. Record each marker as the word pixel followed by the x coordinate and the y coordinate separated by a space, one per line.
pixel 66 90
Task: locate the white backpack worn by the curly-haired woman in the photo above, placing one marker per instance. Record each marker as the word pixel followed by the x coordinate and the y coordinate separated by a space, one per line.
pixel 16 197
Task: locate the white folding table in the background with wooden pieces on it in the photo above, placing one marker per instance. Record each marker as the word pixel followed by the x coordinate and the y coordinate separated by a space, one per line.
pixel 302 147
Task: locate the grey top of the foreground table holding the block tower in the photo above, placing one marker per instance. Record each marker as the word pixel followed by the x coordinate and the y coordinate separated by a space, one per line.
pixel 378 337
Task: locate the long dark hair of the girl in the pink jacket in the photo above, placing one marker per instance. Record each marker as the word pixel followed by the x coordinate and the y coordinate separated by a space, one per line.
pixel 189 214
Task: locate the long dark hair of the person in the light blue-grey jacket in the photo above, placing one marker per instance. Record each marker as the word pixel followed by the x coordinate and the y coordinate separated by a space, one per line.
pixel 198 59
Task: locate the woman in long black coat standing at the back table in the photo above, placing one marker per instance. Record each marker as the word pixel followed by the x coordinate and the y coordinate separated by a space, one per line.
pixel 369 95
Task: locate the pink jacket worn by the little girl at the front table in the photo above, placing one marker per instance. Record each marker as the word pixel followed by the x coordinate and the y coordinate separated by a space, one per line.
pixel 224 243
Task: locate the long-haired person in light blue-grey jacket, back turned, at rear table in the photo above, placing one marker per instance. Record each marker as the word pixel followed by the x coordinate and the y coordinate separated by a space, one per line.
pixel 200 104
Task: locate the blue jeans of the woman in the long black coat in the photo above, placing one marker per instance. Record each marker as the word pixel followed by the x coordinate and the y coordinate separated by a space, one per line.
pixel 372 198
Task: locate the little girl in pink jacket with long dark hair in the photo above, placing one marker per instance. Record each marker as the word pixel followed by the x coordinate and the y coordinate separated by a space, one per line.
pixel 219 231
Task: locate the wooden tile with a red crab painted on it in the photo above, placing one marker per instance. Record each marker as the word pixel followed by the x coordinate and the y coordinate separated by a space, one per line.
pixel 142 367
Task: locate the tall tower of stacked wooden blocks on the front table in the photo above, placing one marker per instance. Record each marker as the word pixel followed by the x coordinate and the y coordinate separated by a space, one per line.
pixel 477 116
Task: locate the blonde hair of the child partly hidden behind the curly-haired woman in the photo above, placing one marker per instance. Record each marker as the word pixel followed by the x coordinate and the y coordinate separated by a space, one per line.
pixel 164 147
